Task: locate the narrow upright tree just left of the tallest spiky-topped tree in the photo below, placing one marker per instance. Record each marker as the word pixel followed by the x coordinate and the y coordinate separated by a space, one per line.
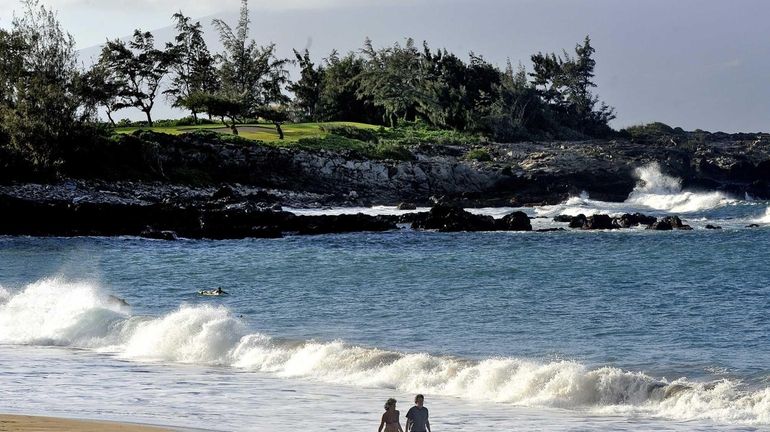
pixel 194 66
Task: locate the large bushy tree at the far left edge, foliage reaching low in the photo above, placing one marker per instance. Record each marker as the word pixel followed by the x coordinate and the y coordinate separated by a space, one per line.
pixel 37 68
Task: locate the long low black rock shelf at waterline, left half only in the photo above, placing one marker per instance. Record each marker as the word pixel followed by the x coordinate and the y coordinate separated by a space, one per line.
pixel 213 219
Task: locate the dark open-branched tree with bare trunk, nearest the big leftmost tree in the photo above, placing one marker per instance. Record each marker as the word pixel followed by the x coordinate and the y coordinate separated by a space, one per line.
pixel 140 68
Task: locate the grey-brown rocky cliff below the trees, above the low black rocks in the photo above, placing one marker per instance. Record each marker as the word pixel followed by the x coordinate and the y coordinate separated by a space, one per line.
pixel 162 168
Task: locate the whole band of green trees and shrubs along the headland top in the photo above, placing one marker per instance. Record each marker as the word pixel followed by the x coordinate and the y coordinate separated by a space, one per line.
pixel 49 107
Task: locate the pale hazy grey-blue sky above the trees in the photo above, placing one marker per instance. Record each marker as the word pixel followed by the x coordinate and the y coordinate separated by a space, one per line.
pixel 690 63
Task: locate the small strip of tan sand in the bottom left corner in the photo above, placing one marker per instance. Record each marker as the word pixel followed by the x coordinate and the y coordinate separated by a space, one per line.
pixel 23 423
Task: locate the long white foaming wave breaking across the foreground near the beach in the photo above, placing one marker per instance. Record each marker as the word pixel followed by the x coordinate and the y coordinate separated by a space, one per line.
pixel 57 312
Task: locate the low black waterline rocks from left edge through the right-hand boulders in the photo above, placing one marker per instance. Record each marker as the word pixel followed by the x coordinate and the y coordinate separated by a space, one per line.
pixel 226 214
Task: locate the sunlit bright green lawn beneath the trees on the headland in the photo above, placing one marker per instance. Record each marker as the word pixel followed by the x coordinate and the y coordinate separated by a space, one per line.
pixel 258 131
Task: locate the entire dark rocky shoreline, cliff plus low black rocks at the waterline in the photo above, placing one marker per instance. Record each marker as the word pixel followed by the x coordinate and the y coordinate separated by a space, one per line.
pixel 248 186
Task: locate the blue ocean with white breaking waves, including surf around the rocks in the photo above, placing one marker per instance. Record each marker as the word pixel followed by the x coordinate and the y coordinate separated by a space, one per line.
pixel 570 330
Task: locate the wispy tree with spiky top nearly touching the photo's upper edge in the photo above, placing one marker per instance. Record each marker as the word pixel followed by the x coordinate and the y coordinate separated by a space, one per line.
pixel 251 75
